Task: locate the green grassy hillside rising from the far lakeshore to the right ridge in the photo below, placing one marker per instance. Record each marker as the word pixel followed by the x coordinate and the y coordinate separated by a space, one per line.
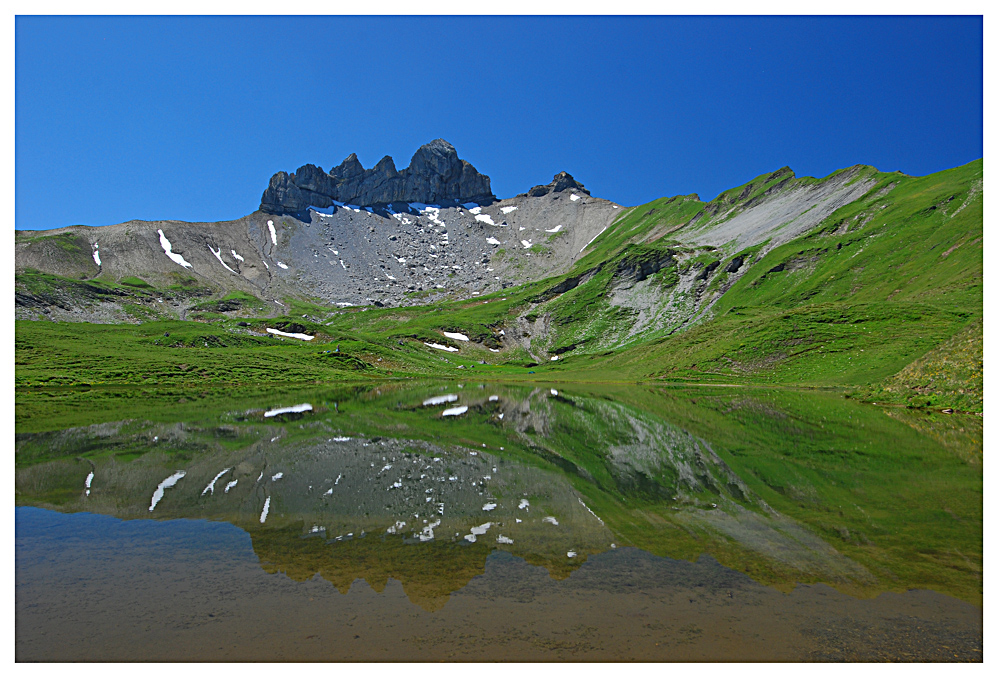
pixel 872 298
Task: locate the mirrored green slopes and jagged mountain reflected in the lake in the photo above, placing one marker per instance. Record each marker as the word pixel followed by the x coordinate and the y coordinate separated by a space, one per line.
pixel 377 485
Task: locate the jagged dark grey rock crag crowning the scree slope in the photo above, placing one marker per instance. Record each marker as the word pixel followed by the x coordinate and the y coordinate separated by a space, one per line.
pixel 435 175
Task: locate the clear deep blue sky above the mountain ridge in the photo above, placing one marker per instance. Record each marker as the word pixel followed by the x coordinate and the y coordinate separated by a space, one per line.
pixel 187 118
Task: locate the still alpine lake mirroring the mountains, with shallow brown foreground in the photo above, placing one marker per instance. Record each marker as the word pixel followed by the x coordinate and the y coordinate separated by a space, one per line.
pixel 407 521
